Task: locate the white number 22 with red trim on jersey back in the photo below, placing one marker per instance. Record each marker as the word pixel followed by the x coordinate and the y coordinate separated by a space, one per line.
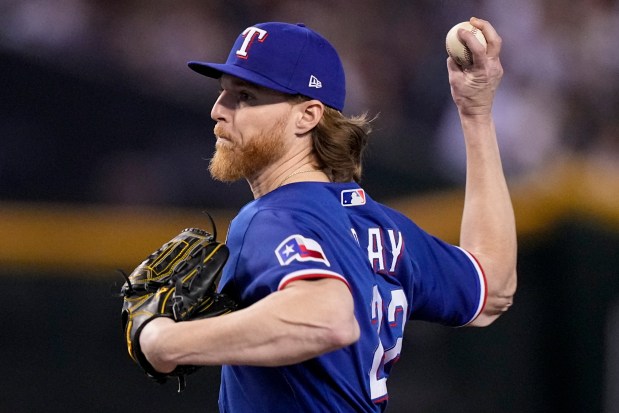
pixel 389 338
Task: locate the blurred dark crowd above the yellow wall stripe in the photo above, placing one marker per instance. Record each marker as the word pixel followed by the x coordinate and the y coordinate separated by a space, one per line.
pixel 136 129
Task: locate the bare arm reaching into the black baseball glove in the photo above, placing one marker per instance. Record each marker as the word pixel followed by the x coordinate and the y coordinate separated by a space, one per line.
pixel 281 329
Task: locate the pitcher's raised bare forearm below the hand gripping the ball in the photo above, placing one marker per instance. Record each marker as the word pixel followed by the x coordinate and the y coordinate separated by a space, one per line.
pixel 488 226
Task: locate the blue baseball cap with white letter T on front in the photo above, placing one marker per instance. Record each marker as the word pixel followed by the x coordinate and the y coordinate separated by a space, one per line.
pixel 288 58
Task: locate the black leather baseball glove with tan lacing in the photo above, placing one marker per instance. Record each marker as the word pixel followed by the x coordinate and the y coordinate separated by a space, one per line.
pixel 178 281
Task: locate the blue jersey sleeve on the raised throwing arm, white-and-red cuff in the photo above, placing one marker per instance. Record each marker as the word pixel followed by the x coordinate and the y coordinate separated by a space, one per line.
pixel 449 284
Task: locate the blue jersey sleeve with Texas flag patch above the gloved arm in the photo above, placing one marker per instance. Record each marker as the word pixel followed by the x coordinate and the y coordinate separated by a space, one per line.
pixel 279 248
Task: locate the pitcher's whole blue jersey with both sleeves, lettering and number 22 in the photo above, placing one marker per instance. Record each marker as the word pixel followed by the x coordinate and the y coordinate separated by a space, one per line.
pixel 394 270
